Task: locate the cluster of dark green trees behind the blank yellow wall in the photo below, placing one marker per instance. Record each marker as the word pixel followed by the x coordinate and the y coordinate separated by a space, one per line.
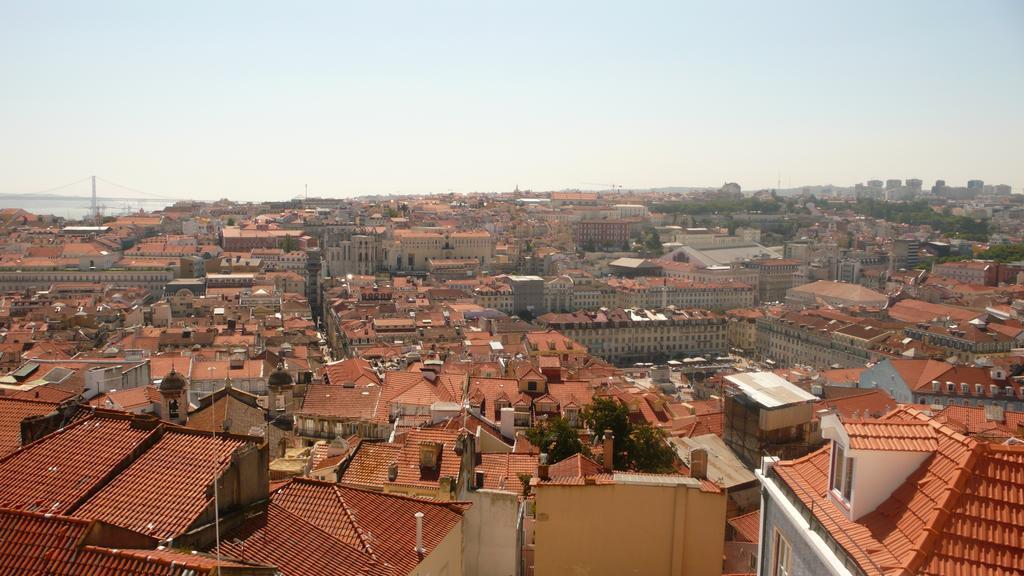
pixel 638 447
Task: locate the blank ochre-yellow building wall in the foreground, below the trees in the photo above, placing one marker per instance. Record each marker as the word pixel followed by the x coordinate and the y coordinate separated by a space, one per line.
pixel 617 530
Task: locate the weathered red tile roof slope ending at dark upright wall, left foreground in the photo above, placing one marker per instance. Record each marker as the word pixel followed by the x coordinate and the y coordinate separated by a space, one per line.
pixel 163 491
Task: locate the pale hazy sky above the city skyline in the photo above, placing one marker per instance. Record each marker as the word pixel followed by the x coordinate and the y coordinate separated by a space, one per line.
pixel 251 100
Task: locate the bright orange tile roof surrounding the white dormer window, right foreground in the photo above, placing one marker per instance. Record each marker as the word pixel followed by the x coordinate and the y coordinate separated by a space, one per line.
pixel 962 512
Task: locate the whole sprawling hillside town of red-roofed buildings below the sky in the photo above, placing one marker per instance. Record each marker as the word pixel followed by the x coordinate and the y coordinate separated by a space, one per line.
pixel 700 382
